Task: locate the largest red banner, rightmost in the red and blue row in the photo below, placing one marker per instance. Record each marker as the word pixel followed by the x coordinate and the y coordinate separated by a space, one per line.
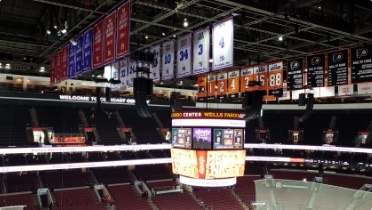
pixel 123 30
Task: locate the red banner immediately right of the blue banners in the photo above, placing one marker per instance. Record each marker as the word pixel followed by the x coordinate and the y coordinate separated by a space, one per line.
pixel 97 45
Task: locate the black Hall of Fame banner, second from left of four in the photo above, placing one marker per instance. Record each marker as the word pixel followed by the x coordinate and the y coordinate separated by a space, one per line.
pixel 315 70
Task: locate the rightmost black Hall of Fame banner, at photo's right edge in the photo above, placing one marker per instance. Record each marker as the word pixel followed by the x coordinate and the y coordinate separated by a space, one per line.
pixel 361 68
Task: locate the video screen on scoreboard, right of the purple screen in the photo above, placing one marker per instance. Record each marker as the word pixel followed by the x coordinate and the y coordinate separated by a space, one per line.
pixel 228 138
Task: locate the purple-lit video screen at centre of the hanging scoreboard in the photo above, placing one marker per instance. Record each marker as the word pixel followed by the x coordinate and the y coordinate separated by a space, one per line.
pixel 202 138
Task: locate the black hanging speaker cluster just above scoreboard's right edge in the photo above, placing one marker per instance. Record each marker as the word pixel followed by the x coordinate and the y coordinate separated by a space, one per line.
pixel 253 104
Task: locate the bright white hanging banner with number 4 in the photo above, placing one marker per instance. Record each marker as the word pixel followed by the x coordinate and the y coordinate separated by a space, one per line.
pixel 223 44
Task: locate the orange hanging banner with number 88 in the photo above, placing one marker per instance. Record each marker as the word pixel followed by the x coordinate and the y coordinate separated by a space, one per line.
pixel 275 72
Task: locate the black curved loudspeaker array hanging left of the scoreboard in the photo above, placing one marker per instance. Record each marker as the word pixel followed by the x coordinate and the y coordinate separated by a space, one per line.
pixel 139 89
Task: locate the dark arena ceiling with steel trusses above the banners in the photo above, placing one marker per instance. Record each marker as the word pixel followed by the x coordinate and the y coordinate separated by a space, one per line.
pixel 307 26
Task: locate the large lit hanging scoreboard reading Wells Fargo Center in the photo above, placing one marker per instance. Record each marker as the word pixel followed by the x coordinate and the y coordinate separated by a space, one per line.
pixel 208 147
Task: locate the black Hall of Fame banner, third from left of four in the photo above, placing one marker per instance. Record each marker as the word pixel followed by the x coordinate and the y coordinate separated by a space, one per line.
pixel 338 67
